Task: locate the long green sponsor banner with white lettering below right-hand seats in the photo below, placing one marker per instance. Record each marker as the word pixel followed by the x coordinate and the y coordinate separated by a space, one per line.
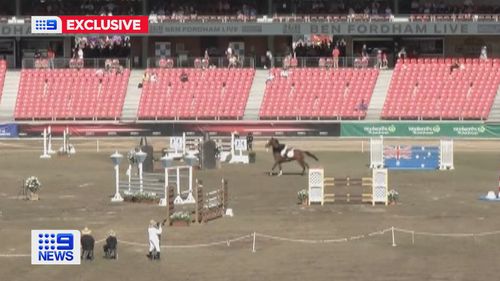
pixel 406 129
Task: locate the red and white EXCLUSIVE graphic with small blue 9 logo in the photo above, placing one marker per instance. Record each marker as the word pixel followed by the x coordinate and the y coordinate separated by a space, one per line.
pixel 89 25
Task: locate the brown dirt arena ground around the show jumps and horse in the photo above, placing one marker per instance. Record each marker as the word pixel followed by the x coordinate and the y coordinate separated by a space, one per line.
pixel 291 240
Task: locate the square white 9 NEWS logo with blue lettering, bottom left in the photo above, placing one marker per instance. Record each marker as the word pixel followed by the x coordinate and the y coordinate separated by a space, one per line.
pixel 55 247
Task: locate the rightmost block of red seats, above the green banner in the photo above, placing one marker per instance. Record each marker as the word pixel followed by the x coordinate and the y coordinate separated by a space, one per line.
pixel 431 89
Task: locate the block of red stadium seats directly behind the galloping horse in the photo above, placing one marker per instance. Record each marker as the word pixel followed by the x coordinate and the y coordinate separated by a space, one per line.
pixel 318 93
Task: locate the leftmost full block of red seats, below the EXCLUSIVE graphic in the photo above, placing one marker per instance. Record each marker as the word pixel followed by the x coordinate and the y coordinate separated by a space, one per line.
pixel 70 94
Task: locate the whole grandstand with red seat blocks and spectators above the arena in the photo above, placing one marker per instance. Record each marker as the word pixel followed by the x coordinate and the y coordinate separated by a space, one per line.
pixel 283 66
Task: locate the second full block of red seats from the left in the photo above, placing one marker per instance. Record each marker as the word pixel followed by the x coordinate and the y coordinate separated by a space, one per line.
pixel 207 94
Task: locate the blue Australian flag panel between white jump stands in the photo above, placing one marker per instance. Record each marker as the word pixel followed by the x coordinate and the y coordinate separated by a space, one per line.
pixel 411 157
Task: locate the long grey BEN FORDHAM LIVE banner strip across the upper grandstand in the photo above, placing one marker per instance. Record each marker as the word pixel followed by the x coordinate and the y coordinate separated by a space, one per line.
pixel 261 29
